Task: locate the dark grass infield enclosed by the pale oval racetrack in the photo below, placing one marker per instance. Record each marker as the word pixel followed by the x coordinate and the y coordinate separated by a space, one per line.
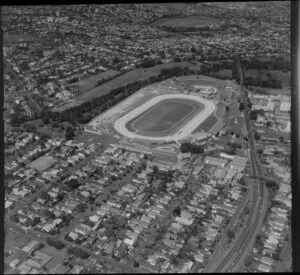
pixel 165 117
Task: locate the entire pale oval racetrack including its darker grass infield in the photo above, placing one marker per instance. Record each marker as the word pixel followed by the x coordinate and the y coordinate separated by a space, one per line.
pixel 165 117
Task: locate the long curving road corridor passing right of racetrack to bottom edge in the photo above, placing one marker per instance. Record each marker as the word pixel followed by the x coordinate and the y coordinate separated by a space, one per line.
pixel 256 215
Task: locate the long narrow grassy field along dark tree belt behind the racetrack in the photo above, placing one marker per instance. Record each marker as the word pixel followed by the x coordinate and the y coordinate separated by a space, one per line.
pixel 127 78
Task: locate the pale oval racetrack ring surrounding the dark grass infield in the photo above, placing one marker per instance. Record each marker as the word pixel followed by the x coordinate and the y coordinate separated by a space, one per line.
pixel 184 131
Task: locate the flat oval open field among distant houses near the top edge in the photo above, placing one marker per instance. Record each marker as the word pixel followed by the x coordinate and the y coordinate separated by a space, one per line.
pixel 187 21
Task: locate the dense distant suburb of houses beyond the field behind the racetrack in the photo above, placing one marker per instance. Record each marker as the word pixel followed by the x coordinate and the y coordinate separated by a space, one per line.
pixel 124 46
